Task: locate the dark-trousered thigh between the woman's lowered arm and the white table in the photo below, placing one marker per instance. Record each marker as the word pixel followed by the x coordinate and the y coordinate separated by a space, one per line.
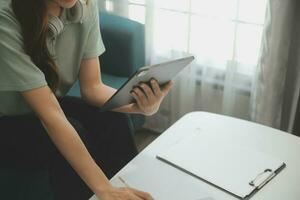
pixel 107 133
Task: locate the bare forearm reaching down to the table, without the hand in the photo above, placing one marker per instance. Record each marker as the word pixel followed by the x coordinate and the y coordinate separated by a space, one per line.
pixel 72 148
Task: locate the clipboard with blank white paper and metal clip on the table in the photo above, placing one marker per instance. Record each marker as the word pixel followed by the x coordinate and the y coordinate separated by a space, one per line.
pixel 237 170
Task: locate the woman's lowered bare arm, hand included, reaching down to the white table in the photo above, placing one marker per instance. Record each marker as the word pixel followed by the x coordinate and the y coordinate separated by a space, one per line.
pixel 65 138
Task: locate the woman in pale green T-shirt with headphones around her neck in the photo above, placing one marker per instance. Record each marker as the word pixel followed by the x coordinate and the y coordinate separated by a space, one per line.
pixel 45 45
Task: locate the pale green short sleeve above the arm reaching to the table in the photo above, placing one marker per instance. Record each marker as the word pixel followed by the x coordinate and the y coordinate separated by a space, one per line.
pixel 17 71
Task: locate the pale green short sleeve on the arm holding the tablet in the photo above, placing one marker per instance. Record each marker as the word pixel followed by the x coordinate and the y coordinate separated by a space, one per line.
pixel 94 45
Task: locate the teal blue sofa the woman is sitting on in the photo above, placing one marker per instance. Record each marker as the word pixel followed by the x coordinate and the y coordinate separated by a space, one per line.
pixel 125 45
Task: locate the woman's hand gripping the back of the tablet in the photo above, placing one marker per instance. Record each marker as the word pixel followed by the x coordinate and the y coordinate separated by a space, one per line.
pixel 148 99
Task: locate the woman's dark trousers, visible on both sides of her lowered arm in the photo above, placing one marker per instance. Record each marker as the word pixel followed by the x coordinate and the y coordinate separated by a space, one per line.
pixel 25 145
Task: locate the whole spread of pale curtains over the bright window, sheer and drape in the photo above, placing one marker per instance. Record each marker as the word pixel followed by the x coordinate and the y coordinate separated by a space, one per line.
pixel 225 36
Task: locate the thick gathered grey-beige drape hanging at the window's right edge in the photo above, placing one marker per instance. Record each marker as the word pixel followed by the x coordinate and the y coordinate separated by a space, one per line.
pixel 270 82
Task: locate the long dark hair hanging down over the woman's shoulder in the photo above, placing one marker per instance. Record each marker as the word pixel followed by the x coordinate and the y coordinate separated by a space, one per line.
pixel 33 18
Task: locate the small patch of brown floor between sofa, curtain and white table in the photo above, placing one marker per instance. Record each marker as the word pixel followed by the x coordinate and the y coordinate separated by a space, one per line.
pixel 144 137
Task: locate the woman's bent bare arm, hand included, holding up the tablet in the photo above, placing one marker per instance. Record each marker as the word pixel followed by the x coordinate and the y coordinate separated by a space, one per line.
pixel 96 93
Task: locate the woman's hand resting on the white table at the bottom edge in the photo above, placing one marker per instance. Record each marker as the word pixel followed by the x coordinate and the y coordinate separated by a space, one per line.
pixel 124 194
